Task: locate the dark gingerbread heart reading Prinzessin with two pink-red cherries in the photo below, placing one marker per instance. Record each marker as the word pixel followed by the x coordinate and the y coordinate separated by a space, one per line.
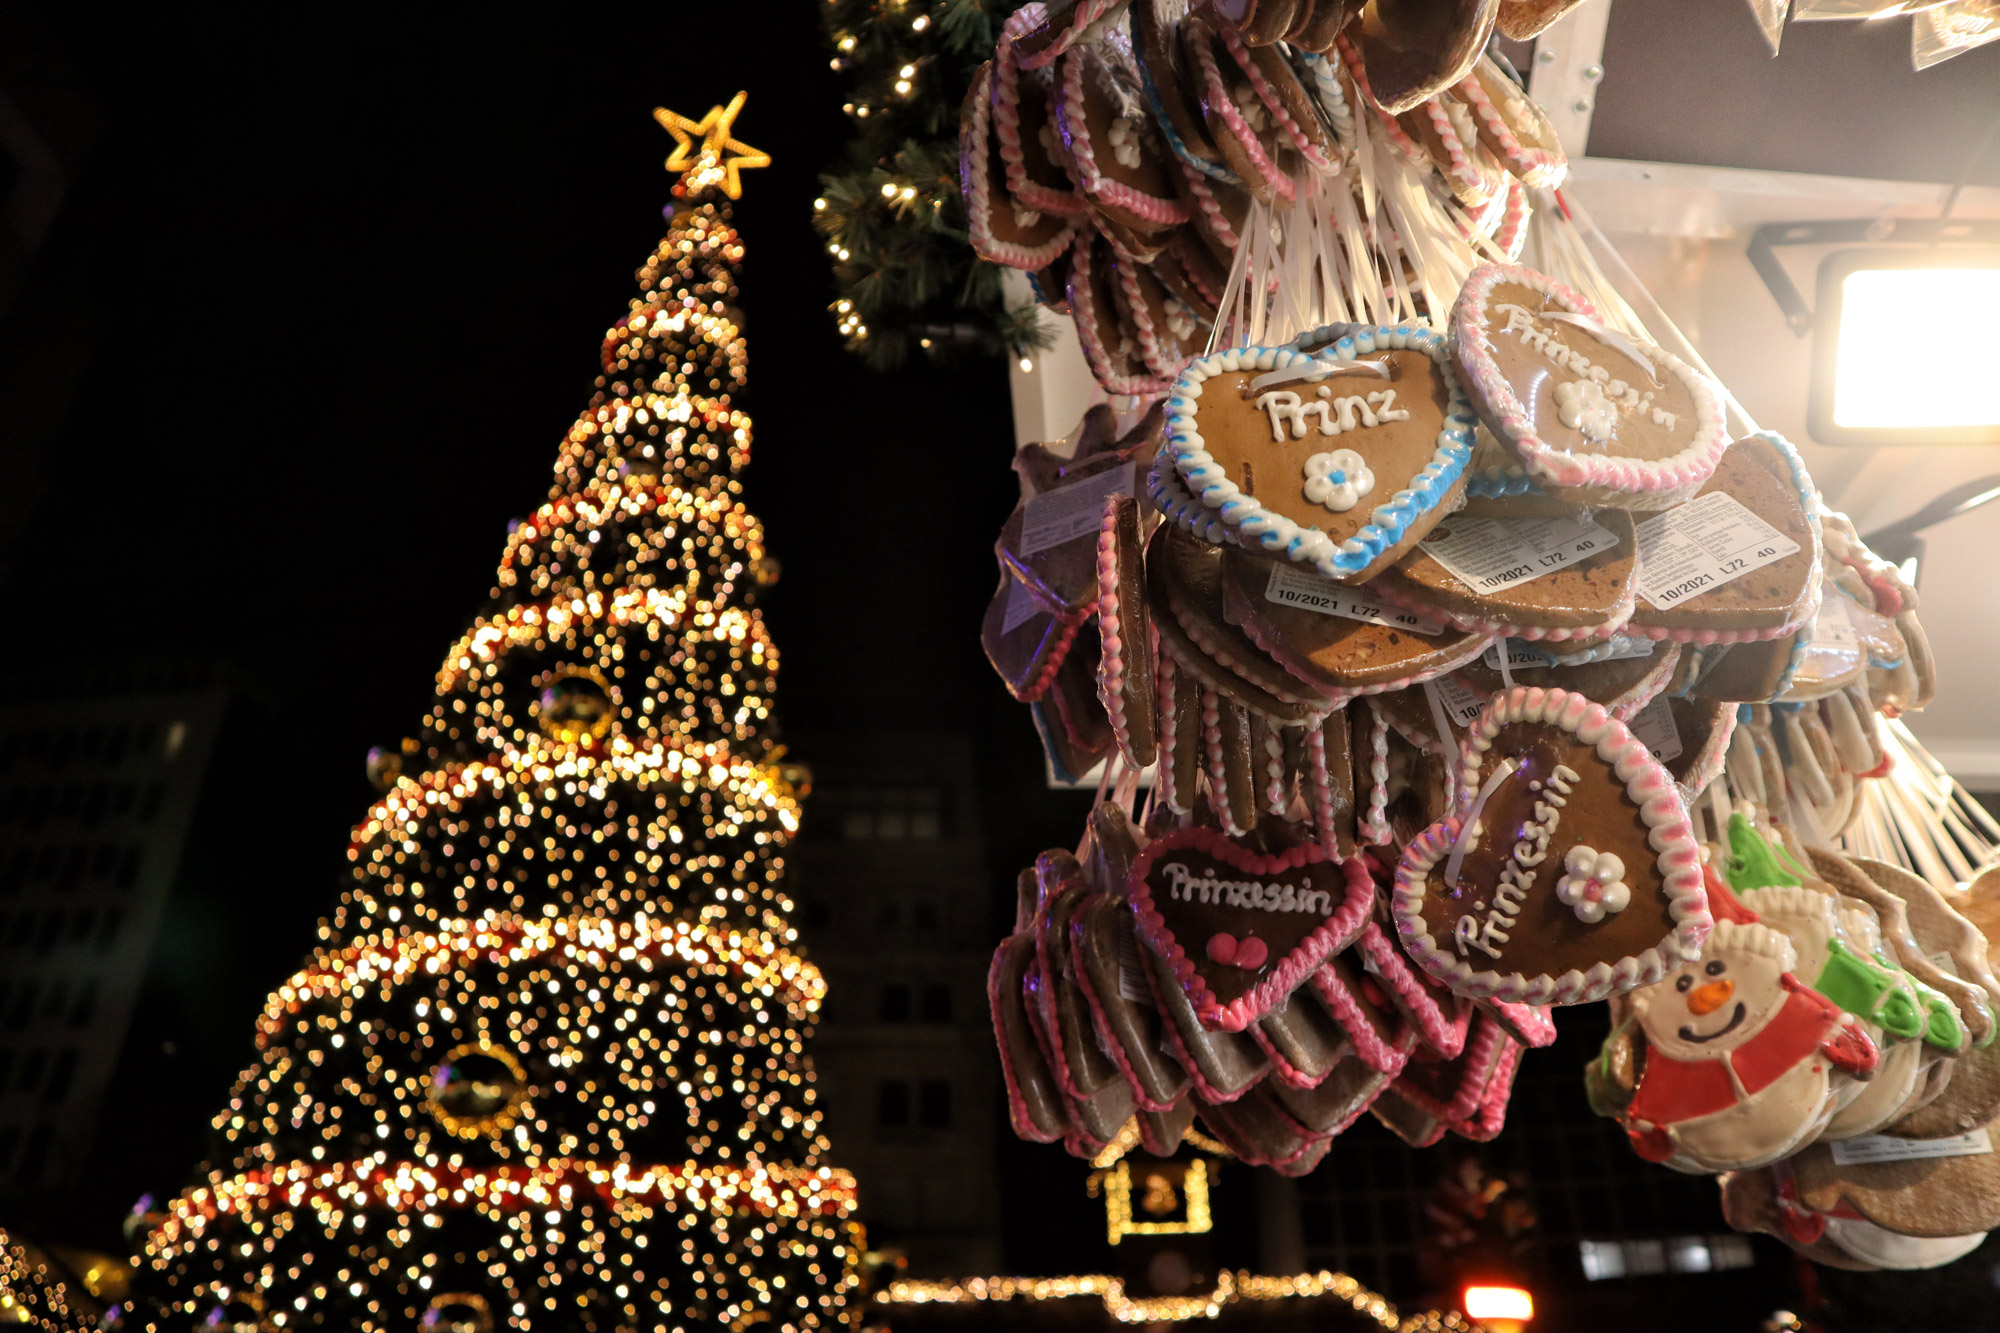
pixel 1283 916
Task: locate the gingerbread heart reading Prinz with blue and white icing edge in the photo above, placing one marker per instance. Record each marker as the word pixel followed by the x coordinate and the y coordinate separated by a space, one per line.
pixel 1341 461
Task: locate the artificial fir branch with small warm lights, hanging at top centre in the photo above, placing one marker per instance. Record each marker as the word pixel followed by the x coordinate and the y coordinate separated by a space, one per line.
pixel 891 211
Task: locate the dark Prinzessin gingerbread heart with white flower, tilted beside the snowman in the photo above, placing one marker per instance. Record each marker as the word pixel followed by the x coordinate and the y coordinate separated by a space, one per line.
pixel 1567 872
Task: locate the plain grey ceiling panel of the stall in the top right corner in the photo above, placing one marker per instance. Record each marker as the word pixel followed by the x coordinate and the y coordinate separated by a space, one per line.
pixel 1691 81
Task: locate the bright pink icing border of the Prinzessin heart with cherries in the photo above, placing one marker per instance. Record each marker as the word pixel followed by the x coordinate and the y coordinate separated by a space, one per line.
pixel 1329 938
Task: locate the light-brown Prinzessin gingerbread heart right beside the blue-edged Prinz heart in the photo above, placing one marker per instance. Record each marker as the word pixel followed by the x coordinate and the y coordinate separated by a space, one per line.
pixel 1593 415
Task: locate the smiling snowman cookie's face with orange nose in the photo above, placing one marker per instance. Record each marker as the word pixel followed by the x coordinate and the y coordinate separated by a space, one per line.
pixel 1723 998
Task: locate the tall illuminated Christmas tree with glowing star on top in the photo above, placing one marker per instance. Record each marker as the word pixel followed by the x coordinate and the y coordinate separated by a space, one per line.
pixel 549 1066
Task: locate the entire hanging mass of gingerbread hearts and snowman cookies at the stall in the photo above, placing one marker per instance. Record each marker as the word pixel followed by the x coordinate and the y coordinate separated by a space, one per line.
pixel 1473 657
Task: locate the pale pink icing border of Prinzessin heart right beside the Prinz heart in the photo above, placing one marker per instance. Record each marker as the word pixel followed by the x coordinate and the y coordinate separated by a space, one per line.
pixel 1511 421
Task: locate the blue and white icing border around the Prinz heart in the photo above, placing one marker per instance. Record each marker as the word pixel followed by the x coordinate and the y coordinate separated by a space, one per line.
pixel 1391 521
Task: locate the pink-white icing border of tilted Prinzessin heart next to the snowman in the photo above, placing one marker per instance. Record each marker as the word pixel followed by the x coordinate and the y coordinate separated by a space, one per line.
pixel 1659 804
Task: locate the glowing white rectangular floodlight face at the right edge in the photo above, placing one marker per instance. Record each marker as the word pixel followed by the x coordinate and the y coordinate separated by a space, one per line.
pixel 1879 313
